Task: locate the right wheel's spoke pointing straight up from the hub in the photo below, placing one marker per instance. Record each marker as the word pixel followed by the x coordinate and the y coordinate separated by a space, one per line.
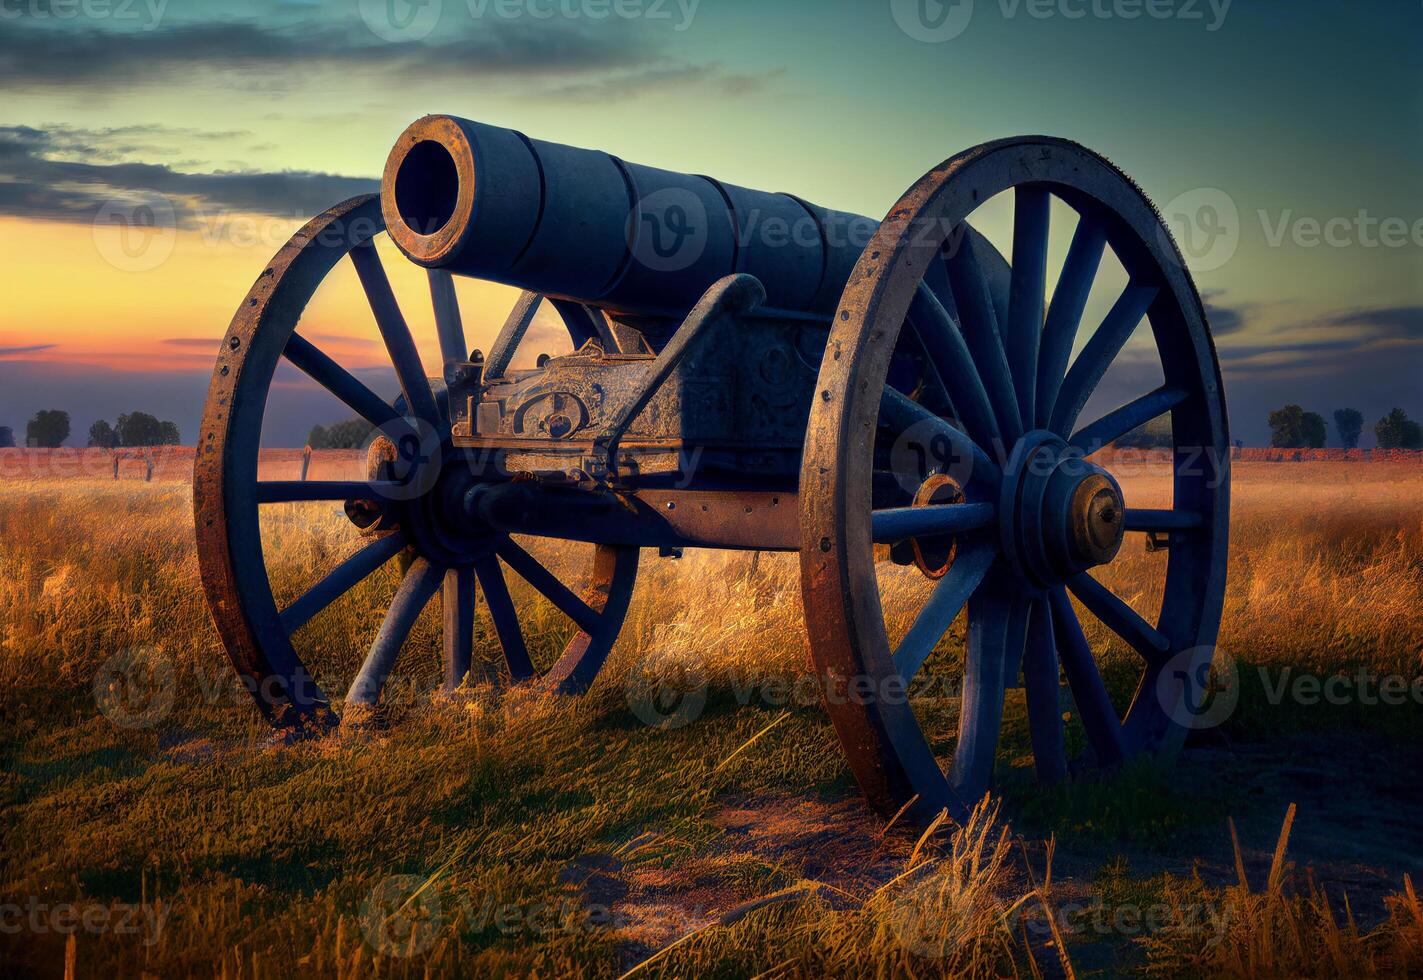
pixel 1030 284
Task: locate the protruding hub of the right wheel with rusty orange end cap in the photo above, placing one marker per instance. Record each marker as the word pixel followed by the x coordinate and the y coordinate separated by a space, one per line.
pixel 1059 516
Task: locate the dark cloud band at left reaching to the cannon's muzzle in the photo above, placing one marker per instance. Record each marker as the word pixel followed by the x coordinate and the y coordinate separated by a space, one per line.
pixel 38 181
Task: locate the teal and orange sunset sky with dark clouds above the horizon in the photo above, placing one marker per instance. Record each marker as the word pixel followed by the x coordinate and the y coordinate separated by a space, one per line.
pixel 1281 140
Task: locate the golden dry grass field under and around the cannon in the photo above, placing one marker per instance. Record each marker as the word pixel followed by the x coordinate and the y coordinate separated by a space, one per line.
pixel 153 827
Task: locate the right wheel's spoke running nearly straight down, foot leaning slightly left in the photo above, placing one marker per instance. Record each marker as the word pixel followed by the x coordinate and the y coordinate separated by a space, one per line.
pixel 998 628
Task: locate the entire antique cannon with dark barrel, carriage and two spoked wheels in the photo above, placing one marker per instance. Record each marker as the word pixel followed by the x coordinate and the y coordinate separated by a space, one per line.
pixel 896 402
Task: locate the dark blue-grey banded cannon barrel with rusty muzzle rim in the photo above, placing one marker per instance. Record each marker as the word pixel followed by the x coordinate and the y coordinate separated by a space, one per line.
pixel 493 204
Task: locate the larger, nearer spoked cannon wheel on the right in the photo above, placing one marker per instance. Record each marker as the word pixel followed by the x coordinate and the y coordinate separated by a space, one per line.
pixel 1028 511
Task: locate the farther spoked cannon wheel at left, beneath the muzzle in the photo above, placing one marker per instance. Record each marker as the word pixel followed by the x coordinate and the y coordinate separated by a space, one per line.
pixel 413 504
